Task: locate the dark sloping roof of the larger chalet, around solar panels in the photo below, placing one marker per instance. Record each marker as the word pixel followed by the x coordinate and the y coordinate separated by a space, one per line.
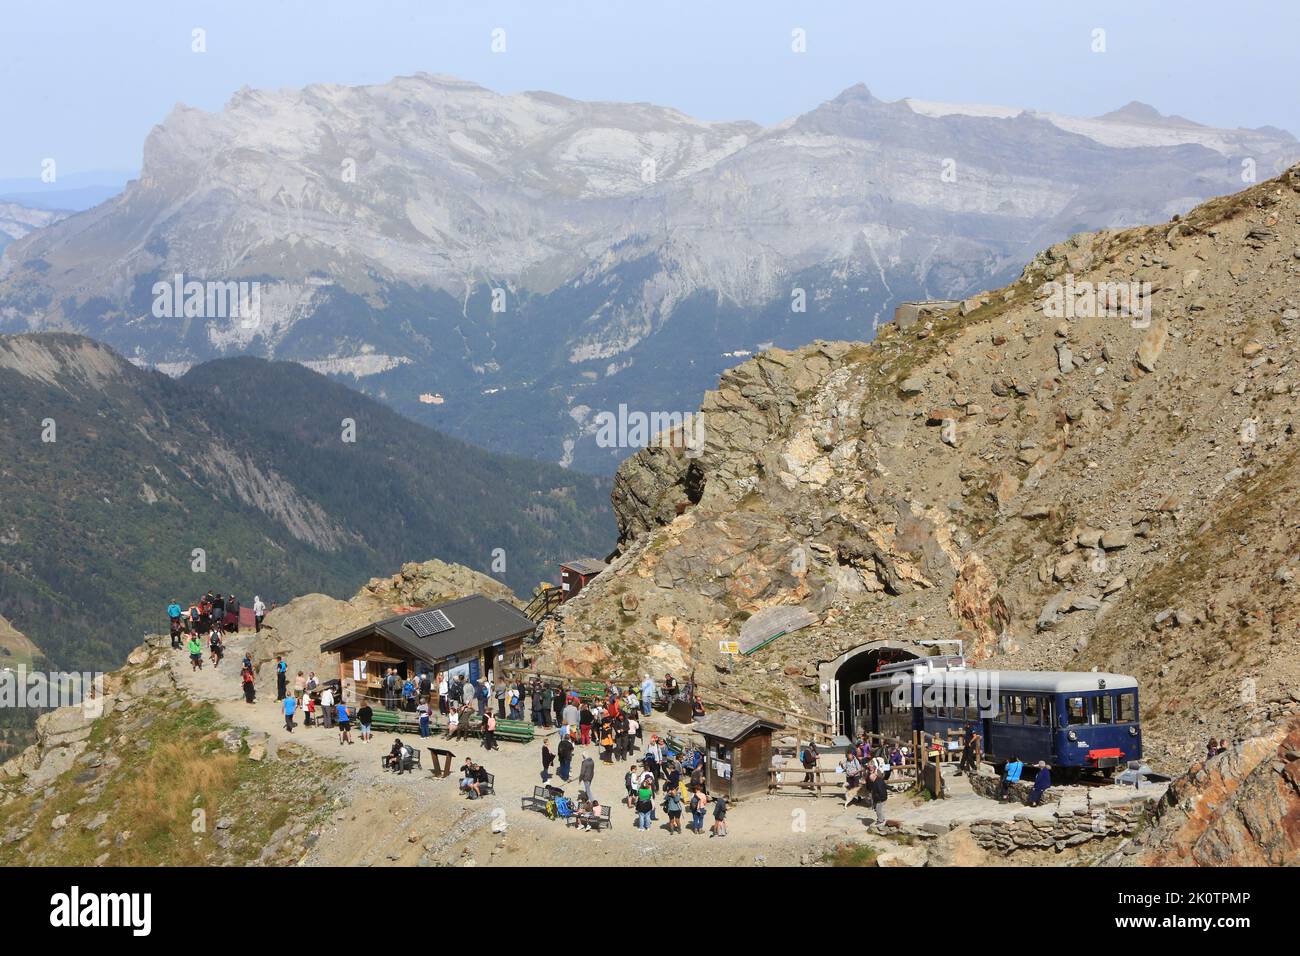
pixel 478 622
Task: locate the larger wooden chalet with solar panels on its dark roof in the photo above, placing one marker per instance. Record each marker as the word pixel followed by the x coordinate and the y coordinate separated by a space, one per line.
pixel 475 635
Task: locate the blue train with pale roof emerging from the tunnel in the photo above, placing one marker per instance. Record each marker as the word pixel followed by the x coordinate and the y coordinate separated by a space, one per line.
pixel 1074 721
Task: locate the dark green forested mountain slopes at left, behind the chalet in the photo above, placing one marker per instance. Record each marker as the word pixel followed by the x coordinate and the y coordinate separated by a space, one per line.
pixel 123 490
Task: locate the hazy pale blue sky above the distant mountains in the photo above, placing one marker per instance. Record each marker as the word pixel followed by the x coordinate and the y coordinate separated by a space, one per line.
pixel 84 81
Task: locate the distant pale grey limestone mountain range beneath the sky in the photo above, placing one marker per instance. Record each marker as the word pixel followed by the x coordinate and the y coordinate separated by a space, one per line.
pixel 509 267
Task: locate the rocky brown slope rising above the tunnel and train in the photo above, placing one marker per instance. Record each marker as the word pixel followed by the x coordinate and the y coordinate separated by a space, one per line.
pixel 1058 491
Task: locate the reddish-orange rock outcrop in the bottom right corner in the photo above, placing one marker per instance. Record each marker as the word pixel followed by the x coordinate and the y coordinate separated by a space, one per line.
pixel 1241 808
